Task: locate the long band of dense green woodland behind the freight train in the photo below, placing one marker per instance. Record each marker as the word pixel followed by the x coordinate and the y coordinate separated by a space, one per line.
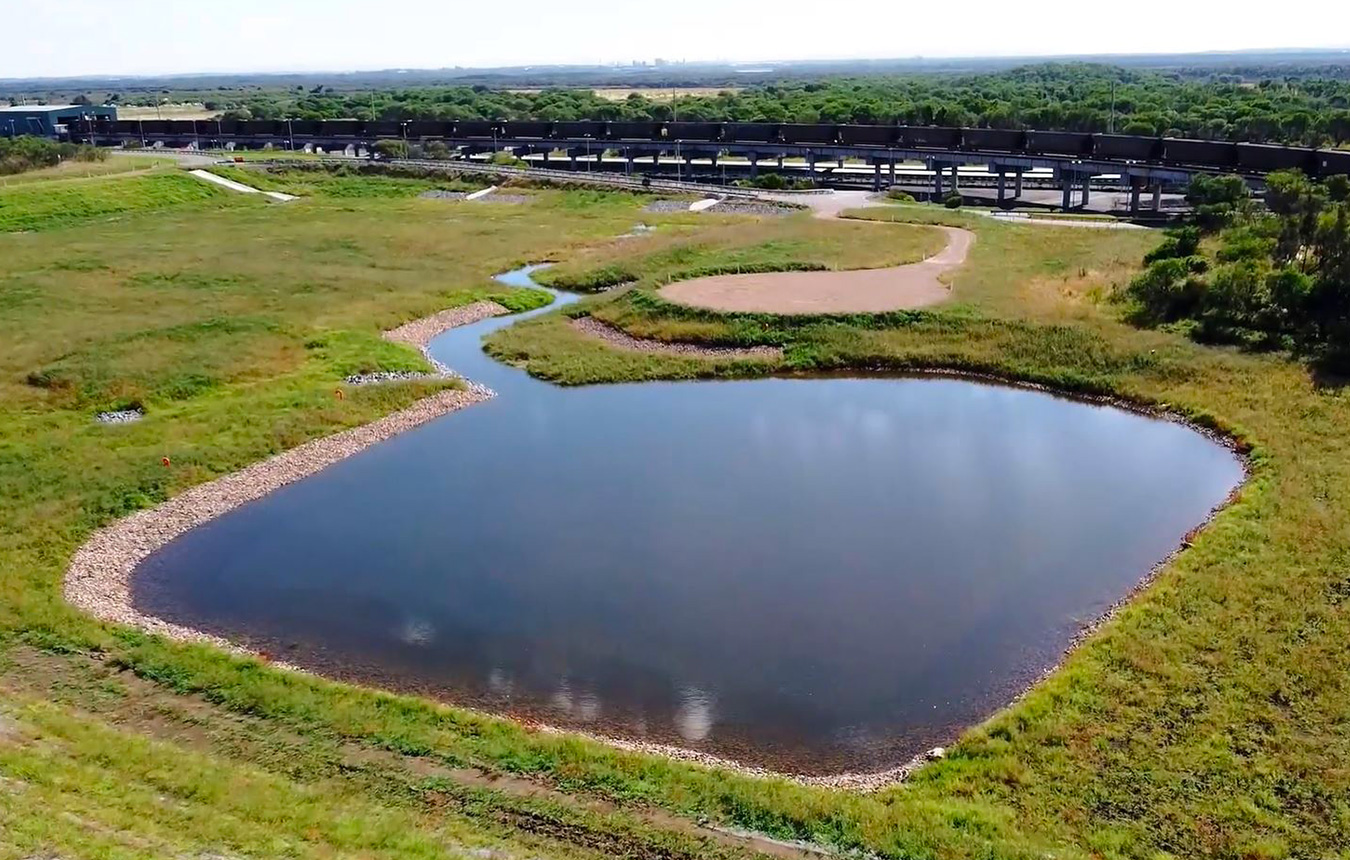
pixel 1089 98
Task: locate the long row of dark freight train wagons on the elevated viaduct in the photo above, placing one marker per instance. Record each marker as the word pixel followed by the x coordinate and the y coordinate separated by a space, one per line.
pixel 1179 152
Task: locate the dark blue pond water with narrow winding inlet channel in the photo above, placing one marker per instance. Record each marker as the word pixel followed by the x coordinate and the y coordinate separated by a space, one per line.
pixel 812 574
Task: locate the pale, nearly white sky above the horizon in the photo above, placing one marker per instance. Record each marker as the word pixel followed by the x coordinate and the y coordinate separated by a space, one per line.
pixel 59 38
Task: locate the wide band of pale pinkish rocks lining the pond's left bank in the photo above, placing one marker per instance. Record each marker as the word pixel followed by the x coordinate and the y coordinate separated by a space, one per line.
pixel 99 579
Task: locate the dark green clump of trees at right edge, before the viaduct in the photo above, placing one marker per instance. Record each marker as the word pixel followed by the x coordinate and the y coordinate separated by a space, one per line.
pixel 1274 277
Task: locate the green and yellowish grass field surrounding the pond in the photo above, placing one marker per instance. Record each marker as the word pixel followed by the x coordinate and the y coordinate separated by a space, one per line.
pixel 1209 720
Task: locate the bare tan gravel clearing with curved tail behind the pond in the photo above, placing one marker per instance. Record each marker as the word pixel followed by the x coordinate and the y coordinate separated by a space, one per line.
pixel 866 291
